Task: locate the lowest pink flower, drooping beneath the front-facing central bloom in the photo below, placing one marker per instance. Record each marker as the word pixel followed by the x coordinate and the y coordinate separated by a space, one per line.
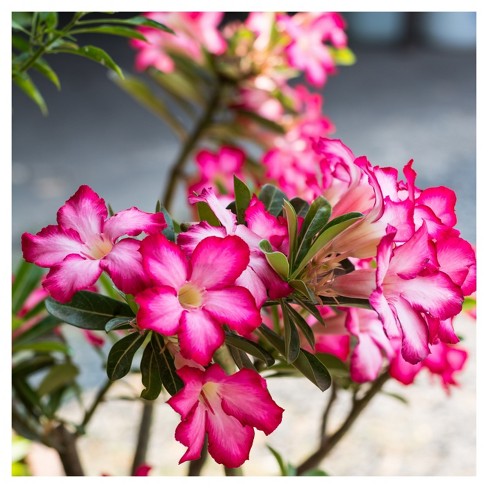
pixel 227 409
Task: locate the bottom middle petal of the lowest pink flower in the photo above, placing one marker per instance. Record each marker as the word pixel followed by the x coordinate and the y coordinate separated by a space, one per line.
pixel 229 442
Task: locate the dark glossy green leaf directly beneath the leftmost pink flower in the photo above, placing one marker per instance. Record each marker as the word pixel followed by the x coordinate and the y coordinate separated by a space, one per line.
pixel 89 310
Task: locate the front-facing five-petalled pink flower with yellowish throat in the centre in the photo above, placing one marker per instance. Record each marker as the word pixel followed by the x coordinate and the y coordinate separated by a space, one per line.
pixel 194 298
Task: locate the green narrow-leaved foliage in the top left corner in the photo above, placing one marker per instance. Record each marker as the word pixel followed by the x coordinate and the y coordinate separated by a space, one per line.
pixel 37 34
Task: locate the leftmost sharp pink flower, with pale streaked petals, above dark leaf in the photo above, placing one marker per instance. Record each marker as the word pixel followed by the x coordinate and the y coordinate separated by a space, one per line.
pixel 85 242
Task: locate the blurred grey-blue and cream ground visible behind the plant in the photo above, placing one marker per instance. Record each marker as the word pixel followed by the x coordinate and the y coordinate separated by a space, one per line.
pixel 410 95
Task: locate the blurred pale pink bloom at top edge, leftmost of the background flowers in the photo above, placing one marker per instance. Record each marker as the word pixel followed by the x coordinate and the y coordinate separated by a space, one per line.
pixel 193 31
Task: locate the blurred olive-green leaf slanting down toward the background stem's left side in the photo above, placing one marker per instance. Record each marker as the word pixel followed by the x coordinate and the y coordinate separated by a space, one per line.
pixel 144 95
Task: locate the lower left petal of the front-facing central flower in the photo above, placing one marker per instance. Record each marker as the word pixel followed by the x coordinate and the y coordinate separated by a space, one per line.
pixel 160 310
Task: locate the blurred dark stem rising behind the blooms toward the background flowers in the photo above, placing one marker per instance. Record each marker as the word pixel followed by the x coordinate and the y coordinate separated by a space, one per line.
pixel 177 169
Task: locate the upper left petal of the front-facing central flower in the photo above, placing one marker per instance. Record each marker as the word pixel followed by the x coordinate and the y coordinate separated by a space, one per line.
pixel 164 261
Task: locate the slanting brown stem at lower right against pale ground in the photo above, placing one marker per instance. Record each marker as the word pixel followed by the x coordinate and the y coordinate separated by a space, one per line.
pixel 329 442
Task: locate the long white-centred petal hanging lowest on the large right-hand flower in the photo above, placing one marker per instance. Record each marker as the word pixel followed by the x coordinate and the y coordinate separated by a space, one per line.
pixel 415 334
